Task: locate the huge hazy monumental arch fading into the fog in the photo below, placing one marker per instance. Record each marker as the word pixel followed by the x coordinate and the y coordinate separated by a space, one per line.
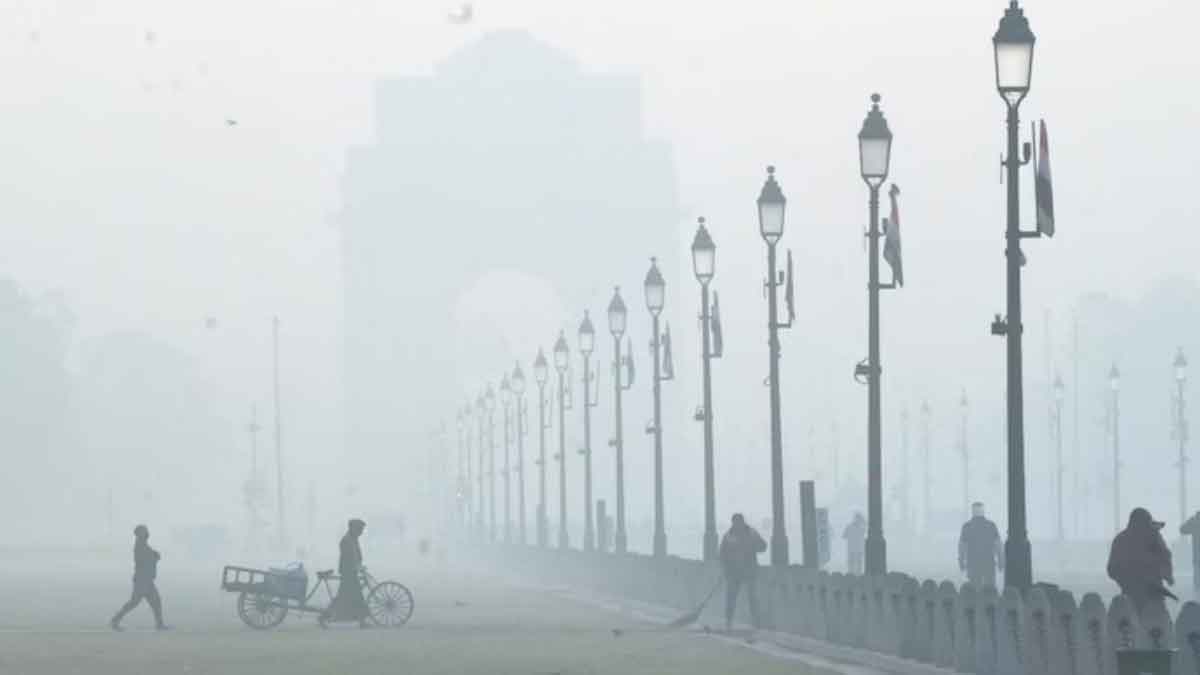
pixel 509 158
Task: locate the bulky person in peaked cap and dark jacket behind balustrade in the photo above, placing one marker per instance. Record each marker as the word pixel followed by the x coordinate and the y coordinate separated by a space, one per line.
pixel 1139 563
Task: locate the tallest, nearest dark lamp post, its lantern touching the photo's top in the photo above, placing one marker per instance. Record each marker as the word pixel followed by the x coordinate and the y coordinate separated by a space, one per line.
pixel 1013 45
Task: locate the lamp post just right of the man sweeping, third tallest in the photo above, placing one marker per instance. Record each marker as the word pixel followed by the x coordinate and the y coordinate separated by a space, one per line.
pixel 772 206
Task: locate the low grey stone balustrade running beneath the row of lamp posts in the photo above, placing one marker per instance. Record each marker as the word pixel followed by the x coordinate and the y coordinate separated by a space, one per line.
pixel 941 625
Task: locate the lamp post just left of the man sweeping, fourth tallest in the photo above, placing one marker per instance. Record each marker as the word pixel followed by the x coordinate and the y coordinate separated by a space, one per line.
pixel 704 261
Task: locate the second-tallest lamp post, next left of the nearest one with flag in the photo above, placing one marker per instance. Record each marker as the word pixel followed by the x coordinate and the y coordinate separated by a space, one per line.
pixel 874 157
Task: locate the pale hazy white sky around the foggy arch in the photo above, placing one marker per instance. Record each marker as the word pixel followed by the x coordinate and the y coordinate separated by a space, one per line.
pixel 122 184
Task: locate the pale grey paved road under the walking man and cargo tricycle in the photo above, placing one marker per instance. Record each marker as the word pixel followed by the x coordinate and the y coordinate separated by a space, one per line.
pixel 53 623
